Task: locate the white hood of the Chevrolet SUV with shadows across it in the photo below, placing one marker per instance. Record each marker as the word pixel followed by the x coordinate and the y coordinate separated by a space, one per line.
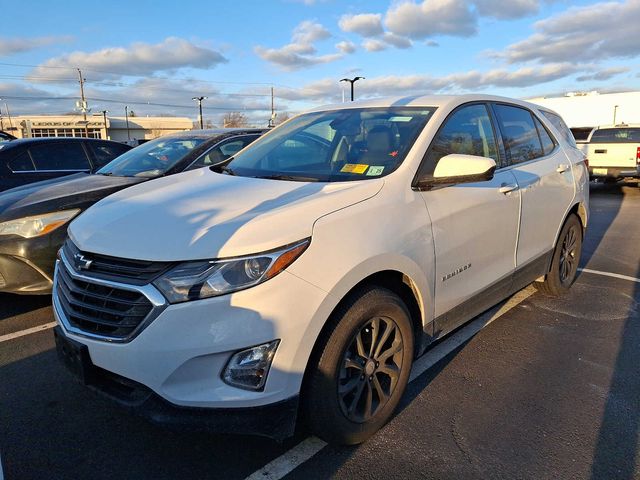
pixel 201 215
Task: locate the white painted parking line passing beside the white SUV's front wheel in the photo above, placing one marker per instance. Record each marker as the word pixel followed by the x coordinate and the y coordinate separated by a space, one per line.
pixel 288 461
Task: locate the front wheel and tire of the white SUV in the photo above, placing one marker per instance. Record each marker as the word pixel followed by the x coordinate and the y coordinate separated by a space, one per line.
pixel 361 369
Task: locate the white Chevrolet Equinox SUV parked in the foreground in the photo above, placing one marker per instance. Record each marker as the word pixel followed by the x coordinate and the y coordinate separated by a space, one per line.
pixel 301 280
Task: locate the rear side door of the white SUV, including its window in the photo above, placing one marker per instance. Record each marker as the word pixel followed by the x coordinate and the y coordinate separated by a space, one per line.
pixel 545 178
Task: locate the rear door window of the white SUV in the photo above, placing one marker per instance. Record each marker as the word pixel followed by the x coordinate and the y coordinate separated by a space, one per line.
pixel 519 134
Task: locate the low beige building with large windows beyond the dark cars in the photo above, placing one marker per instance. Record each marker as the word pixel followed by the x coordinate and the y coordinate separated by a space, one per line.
pixel 119 129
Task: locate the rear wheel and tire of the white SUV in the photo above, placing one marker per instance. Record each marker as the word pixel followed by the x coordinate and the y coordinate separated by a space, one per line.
pixel 566 257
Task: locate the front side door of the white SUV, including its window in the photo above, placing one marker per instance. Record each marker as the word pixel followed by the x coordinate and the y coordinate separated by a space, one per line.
pixel 475 225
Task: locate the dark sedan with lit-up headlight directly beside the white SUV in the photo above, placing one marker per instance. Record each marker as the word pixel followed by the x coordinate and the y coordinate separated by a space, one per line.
pixel 34 218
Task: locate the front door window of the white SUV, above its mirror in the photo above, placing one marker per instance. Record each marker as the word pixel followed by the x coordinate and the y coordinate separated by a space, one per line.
pixel 468 131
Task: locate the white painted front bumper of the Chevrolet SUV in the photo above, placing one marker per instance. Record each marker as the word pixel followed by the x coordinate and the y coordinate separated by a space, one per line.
pixel 180 355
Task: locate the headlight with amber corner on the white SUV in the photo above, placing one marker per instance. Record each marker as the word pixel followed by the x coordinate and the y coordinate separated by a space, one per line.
pixel 196 280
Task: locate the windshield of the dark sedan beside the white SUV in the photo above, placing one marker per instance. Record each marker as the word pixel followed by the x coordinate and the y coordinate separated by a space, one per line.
pixel 151 159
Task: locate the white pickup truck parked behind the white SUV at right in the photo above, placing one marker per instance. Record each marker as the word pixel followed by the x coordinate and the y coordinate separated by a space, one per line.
pixel 613 152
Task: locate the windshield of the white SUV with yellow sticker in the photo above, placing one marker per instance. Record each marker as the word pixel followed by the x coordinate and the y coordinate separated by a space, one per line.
pixel 331 146
